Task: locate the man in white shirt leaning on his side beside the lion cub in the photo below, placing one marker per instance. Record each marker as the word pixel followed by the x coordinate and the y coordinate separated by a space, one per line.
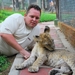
pixel 17 31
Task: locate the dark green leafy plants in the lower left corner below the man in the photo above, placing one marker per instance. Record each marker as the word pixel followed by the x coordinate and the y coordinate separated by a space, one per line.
pixel 3 63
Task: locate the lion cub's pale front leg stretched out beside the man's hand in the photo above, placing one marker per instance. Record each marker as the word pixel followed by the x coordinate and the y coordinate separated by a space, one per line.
pixel 27 62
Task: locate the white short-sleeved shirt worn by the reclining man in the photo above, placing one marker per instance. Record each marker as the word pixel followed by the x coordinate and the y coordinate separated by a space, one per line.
pixel 15 25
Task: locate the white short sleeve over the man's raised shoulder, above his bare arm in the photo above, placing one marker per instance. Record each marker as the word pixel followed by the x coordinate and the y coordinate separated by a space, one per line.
pixel 10 24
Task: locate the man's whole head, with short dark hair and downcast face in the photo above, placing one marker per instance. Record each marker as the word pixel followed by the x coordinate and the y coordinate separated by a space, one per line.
pixel 32 16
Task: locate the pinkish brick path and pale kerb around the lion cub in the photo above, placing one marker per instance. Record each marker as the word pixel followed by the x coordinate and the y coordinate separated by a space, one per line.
pixel 60 43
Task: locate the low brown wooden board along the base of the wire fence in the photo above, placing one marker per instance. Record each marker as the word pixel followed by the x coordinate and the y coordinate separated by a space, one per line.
pixel 68 31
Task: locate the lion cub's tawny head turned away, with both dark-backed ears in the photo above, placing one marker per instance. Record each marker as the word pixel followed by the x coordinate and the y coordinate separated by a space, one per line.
pixel 45 40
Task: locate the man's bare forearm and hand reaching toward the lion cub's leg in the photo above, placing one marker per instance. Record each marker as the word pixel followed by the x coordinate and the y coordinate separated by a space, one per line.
pixel 9 38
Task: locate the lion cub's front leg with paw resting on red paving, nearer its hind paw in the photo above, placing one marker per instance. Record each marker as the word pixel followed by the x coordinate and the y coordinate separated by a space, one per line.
pixel 39 61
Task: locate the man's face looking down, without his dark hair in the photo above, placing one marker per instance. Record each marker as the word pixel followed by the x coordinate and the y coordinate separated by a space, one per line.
pixel 32 18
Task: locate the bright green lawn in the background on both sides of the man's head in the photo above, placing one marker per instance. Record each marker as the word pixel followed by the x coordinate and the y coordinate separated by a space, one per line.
pixel 44 16
